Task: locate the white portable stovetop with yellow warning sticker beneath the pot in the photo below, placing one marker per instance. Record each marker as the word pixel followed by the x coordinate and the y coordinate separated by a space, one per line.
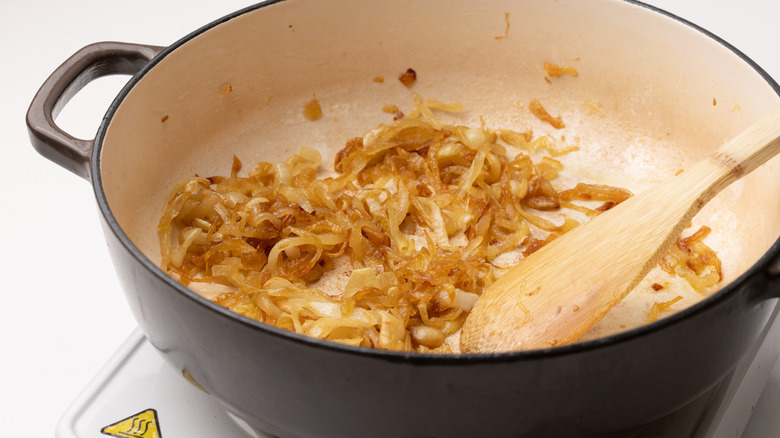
pixel 137 395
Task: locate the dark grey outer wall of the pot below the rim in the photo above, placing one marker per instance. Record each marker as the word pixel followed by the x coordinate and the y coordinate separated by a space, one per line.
pixel 293 387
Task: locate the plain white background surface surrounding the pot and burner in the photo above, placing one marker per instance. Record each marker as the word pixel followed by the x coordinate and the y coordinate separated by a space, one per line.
pixel 63 315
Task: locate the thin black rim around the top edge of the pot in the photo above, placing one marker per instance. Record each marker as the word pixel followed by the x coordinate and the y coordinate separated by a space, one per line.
pixel 429 358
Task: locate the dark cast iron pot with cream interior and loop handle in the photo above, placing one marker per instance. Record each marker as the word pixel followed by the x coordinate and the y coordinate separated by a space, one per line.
pixel 654 93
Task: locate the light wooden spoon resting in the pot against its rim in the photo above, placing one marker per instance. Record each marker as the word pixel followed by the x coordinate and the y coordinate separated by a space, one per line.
pixel 559 292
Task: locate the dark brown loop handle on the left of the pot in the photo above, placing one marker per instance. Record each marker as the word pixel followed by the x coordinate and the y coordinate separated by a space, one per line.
pixel 89 63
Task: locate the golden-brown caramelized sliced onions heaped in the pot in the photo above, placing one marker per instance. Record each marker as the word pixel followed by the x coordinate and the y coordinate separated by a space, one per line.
pixel 418 211
